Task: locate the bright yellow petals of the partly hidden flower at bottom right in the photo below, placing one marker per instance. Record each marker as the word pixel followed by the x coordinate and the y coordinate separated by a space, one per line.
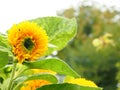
pixel 81 82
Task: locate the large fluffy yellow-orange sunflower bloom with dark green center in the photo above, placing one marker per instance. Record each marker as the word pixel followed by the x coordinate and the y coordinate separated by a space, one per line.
pixel 28 41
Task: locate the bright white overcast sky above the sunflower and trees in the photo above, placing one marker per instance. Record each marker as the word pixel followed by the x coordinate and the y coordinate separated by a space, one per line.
pixel 14 11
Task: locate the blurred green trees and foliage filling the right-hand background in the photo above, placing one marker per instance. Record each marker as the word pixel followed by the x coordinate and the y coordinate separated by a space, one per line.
pixel 99 63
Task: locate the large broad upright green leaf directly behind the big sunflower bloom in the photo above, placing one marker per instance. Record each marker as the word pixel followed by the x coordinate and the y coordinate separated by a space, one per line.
pixel 60 31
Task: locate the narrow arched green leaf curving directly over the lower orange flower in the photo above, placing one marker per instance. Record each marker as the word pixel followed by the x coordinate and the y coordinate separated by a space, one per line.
pixel 19 81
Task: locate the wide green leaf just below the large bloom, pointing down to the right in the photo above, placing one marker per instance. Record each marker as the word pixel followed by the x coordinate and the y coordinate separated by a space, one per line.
pixel 53 64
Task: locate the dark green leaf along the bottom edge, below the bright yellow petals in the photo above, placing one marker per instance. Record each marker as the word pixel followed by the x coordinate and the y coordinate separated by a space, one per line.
pixel 66 86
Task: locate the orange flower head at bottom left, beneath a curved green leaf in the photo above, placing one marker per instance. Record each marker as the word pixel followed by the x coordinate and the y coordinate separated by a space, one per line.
pixel 34 84
